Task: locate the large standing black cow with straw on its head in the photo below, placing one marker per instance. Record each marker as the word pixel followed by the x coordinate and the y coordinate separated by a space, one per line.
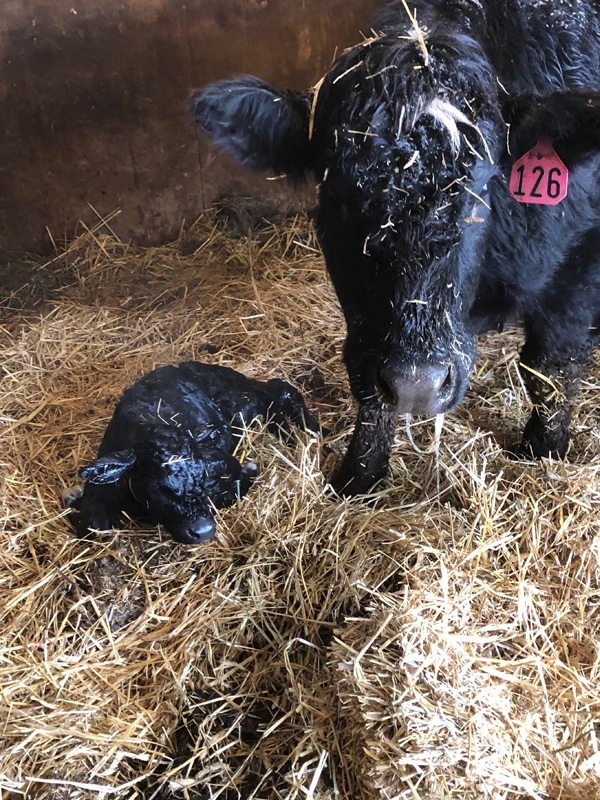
pixel 412 136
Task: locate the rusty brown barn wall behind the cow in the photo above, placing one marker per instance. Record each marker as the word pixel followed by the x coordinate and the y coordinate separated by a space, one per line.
pixel 93 104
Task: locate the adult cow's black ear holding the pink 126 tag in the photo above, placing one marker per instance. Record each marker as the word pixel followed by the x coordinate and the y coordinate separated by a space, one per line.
pixel 570 119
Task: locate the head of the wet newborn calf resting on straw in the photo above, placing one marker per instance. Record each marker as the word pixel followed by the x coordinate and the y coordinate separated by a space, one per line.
pixel 177 478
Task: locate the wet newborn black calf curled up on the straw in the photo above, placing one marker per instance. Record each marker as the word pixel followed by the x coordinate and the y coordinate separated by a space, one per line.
pixel 167 454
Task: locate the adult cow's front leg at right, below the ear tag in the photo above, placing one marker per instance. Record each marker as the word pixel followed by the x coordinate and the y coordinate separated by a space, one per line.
pixel 553 362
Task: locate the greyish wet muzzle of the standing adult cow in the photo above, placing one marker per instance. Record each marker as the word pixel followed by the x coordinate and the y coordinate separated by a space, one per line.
pixel 422 390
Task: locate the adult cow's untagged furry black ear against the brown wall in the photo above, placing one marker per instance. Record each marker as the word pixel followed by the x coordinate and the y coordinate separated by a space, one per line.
pixel 263 129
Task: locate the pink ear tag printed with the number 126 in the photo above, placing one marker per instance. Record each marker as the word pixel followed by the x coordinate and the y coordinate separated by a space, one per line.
pixel 539 176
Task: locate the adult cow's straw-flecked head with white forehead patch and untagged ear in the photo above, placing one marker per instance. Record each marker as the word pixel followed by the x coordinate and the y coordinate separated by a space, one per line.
pixel 401 138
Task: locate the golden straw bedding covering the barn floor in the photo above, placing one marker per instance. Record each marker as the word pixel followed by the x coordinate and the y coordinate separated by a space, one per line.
pixel 416 645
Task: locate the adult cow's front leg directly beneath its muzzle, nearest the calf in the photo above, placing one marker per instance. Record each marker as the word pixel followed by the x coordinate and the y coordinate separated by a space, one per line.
pixel 367 459
